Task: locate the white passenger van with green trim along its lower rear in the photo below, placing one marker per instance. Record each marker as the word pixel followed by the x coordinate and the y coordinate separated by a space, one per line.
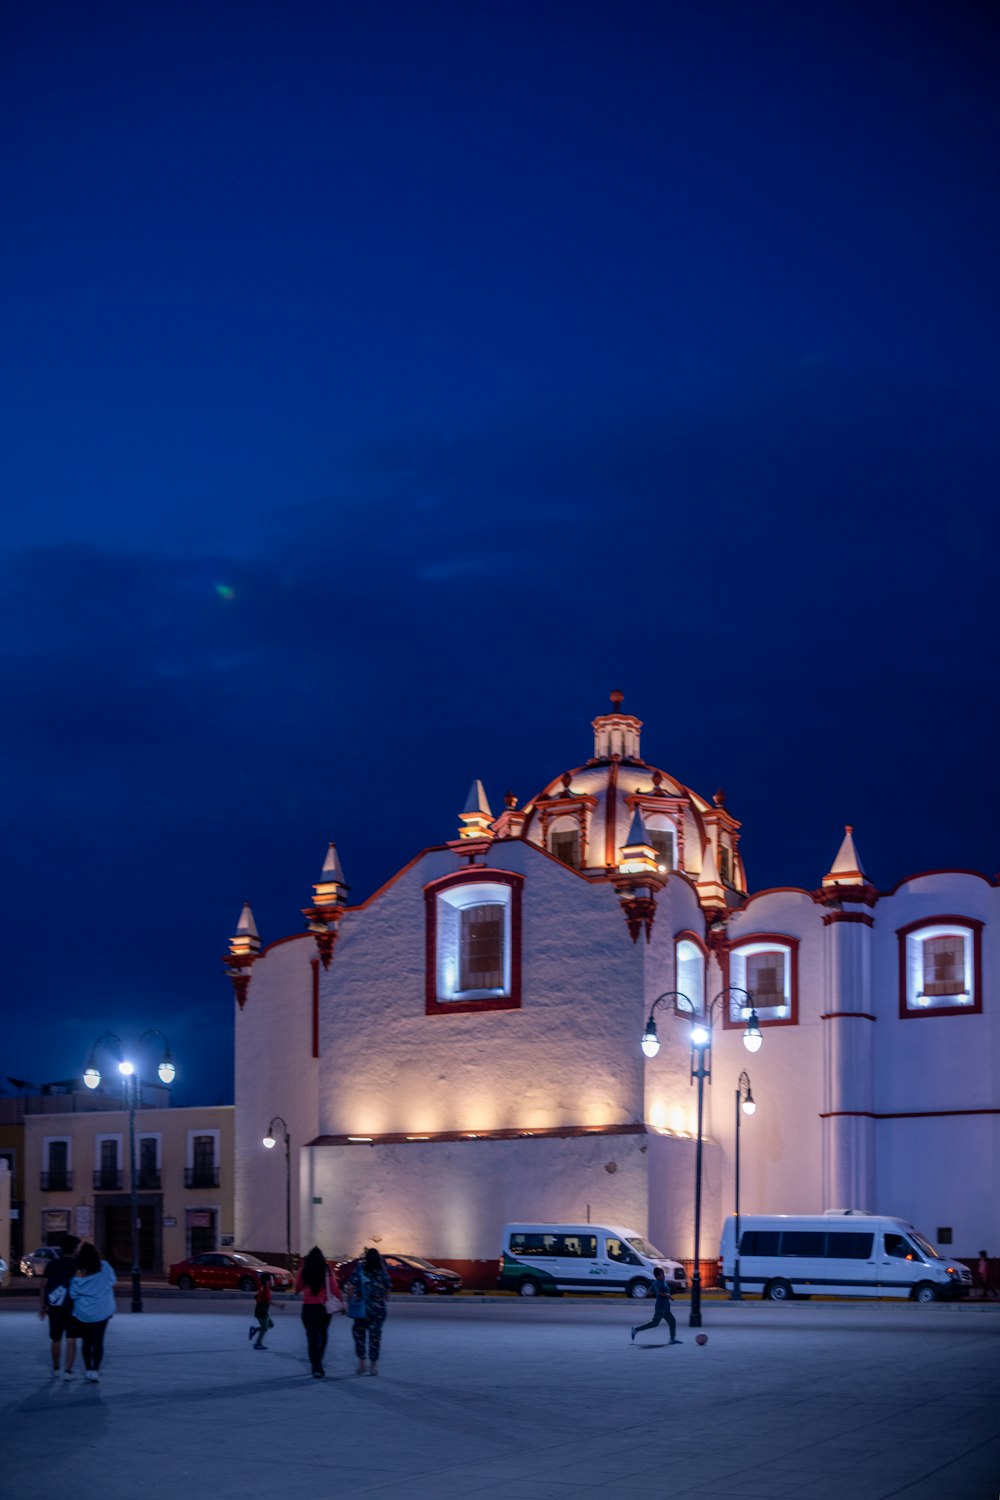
pixel 582 1258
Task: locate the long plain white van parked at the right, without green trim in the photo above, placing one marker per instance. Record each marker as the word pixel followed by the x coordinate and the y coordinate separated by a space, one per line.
pixel 843 1253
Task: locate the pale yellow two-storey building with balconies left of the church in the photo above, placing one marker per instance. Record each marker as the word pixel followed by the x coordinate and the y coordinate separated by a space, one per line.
pixel 77 1180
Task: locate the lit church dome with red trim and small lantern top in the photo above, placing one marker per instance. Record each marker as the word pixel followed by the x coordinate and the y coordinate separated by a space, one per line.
pixel 587 817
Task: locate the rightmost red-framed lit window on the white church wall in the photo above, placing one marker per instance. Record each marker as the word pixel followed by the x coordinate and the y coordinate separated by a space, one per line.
pixel 941 967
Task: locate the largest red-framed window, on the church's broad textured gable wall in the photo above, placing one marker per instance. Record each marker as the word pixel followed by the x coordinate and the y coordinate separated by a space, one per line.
pixel 473 941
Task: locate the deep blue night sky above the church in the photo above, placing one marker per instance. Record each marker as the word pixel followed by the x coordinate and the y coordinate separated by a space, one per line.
pixel 386 383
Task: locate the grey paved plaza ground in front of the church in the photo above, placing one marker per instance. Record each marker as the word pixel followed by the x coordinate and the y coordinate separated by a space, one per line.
pixel 522 1402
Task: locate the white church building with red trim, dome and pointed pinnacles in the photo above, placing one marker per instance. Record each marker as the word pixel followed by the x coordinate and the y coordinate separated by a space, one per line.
pixel 464 1048
